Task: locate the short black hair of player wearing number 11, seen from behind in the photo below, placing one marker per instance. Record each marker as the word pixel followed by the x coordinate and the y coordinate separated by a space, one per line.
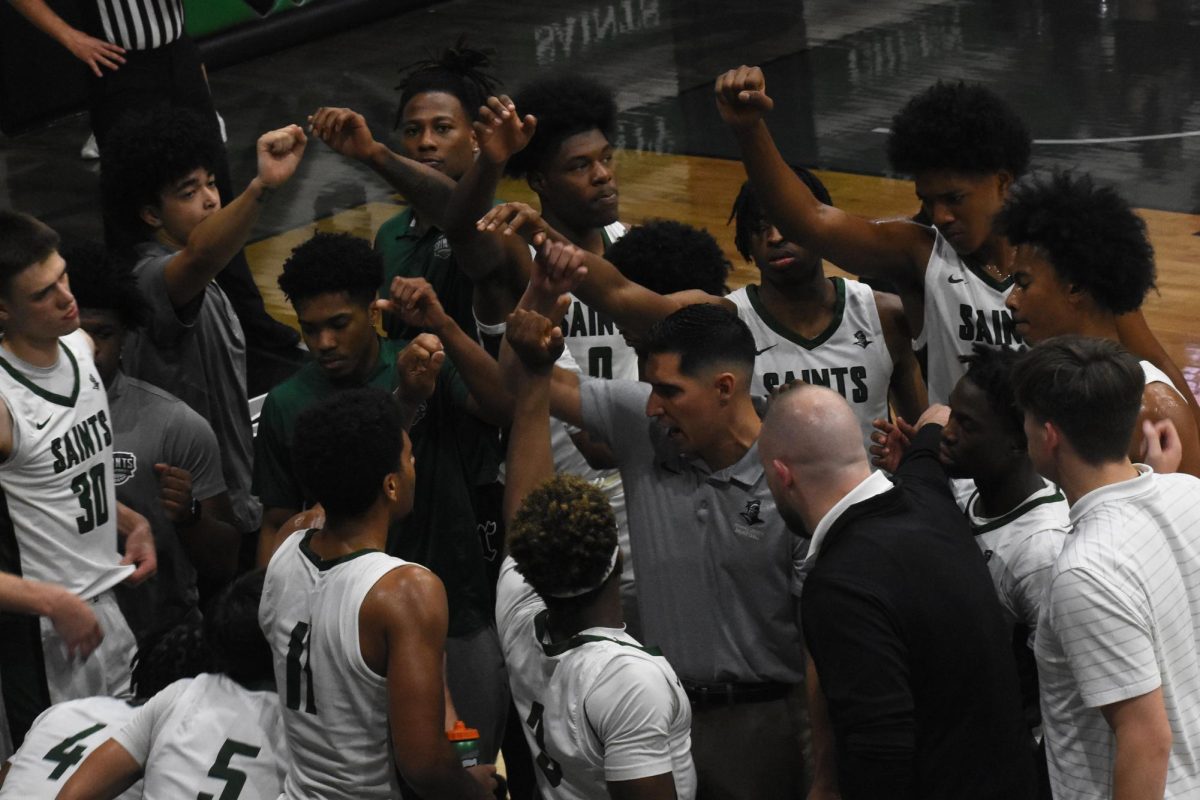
pixel 345 447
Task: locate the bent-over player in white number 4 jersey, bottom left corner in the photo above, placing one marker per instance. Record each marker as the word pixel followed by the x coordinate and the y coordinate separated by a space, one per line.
pixel 67 733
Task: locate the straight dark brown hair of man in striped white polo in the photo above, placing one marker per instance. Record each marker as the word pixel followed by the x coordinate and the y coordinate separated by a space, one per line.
pixel 1091 390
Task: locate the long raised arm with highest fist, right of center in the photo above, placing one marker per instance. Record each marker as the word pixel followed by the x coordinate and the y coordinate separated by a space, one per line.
pixel 895 251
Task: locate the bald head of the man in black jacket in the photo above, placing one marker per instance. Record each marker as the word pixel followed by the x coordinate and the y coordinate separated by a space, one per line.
pixel 812 449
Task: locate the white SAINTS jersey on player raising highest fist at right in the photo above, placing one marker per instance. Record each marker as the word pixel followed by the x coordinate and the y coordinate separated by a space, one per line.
pixel 964 308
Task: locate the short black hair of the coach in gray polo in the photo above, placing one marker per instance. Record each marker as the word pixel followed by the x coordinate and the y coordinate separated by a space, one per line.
pixel 704 335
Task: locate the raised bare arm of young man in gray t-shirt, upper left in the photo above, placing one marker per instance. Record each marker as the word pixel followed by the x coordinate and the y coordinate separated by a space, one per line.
pixel 224 233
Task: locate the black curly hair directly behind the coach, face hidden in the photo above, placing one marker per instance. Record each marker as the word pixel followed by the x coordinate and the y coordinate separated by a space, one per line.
pixel 668 257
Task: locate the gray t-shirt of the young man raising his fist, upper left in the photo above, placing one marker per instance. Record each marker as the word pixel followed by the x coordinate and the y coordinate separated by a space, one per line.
pixel 199 354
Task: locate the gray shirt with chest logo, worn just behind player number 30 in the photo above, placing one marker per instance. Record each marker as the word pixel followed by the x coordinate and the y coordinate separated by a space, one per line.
pixel 152 428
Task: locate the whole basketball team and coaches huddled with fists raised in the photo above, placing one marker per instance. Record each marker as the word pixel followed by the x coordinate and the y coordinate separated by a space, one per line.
pixel 929 534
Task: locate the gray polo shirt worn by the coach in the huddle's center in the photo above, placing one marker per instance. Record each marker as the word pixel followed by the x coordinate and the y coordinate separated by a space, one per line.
pixel 718 572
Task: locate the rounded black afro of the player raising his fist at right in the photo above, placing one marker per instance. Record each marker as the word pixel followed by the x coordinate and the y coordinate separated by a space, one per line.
pixel 959 128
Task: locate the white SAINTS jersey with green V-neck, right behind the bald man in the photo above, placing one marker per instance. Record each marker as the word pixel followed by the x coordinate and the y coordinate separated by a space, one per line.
pixel 850 357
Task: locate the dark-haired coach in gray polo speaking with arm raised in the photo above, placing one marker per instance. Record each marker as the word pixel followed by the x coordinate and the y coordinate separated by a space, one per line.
pixel 717 568
